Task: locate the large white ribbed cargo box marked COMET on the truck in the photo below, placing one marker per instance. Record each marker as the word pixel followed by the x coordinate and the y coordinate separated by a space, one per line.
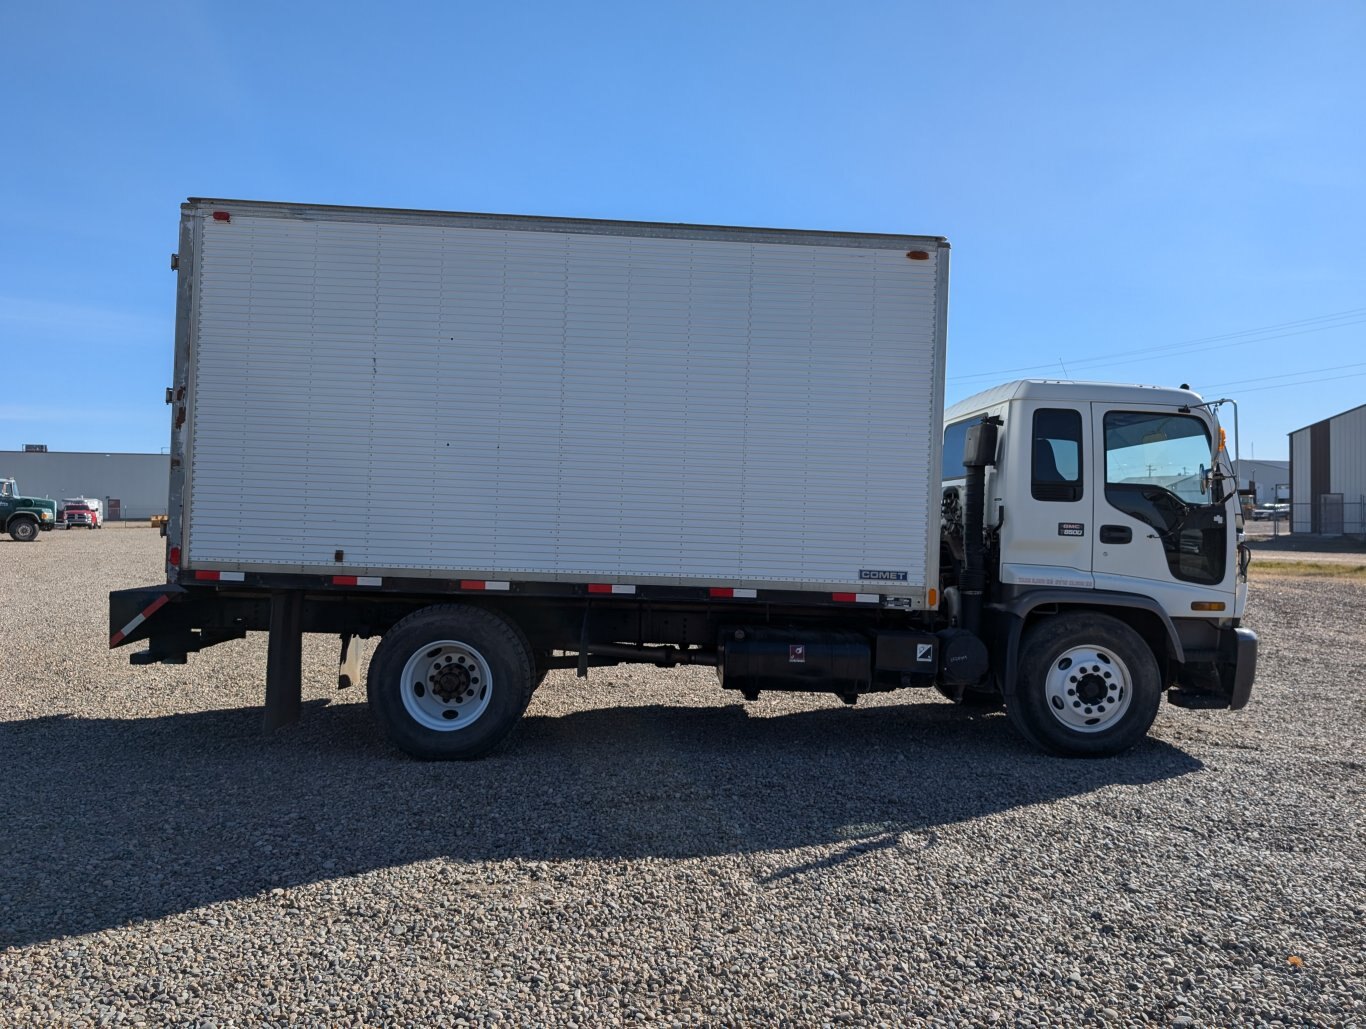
pixel 465 397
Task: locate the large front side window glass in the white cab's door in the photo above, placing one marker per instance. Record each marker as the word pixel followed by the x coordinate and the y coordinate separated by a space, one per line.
pixel 1165 450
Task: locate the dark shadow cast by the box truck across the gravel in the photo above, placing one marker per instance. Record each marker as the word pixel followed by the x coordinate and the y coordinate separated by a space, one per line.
pixel 111 822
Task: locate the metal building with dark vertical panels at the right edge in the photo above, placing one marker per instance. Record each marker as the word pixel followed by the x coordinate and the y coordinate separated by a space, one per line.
pixel 1328 475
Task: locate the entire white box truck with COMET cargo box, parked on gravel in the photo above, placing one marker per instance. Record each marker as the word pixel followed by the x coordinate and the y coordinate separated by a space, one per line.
pixel 509 445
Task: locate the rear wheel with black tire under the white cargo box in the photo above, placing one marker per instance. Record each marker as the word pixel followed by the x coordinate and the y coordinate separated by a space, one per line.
pixel 450 683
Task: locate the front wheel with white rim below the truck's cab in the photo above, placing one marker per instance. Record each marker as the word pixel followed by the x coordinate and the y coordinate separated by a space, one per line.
pixel 1087 687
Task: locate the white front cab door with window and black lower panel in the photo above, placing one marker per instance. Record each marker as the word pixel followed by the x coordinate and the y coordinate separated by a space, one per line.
pixel 1154 520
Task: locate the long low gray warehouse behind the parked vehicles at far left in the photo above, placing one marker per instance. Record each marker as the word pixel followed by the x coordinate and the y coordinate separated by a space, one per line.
pixel 139 482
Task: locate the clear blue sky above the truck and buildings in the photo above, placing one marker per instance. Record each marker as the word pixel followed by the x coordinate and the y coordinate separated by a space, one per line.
pixel 1163 193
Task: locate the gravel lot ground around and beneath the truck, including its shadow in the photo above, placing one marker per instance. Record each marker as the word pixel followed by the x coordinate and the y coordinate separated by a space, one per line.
pixel 650 852
